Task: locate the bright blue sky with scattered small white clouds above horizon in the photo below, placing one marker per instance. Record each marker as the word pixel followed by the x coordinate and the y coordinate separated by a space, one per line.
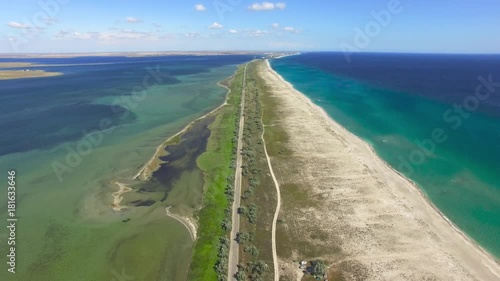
pixel 444 26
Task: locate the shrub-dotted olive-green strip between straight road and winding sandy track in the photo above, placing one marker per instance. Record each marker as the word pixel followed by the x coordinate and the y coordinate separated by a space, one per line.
pixel 259 195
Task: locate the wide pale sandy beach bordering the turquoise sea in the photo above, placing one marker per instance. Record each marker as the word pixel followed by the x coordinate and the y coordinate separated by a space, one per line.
pixel 373 201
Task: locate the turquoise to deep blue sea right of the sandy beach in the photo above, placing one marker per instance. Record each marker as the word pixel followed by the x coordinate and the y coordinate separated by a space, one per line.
pixel 435 118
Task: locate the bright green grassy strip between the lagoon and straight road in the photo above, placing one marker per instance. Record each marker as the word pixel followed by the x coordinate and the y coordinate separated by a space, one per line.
pixel 209 260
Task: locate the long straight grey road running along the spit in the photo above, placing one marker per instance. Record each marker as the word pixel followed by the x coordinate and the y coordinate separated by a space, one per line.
pixel 233 259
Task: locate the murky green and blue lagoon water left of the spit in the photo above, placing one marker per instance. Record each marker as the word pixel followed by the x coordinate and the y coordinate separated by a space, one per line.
pixel 70 137
